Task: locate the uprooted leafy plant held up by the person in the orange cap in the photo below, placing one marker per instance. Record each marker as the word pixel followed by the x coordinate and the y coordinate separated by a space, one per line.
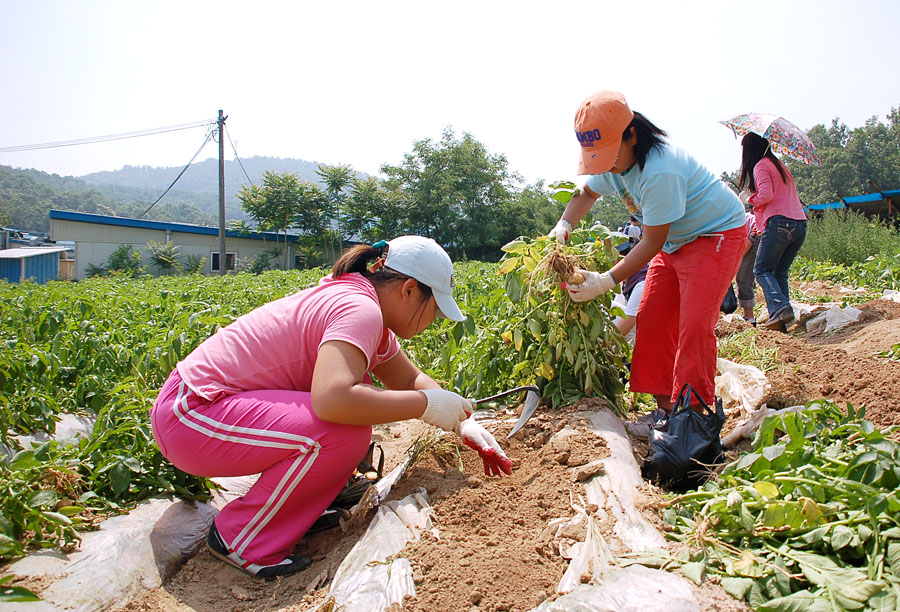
pixel 568 349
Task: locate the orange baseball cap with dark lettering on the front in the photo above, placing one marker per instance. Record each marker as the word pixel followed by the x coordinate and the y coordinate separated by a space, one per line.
pixel 599 123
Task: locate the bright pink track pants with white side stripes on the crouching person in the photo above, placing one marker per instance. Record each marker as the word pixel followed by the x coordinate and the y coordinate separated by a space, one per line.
pixel 303 461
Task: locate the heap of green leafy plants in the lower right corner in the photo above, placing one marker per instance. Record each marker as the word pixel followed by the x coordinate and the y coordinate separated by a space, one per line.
pixel 806 521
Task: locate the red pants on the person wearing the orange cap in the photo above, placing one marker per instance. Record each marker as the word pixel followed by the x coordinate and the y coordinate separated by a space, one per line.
pixel 675 337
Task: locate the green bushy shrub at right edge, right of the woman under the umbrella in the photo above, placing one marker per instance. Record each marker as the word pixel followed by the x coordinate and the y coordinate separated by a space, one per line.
pixel 846 237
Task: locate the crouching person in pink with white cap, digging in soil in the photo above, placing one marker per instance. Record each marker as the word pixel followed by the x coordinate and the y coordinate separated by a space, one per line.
pixel 284 391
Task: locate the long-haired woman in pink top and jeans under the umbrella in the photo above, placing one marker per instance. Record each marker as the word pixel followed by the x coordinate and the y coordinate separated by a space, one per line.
pixel 767 184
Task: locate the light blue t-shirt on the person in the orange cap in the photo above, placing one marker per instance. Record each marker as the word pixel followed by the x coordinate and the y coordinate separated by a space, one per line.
pixel 674 188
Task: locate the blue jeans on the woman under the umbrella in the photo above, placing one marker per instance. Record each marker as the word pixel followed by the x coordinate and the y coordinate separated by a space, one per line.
pixel 778 247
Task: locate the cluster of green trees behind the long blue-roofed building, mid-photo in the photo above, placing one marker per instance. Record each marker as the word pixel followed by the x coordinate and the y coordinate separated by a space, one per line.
pixel 452 190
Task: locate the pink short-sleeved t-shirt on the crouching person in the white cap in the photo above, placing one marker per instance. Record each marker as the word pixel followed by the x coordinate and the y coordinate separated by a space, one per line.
pixel 276 345
